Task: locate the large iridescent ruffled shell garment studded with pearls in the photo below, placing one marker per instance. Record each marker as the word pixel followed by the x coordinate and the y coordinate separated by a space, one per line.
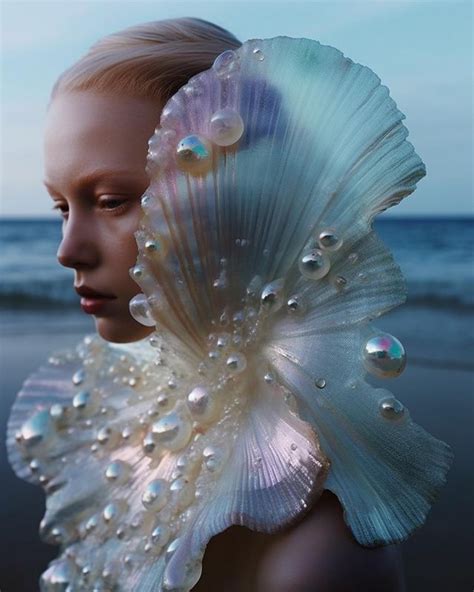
pixel 260 269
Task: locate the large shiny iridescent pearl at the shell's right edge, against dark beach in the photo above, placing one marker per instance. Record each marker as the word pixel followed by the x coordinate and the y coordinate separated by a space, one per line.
pixel 384 356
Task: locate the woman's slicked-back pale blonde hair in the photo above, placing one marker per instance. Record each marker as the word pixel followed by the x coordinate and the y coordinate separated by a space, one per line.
pixel 150 60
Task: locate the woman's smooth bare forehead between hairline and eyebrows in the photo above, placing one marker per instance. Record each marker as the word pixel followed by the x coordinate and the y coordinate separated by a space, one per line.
pixel 86 131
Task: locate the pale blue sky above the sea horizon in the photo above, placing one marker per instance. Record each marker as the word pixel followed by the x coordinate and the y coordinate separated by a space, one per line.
pixel 422 50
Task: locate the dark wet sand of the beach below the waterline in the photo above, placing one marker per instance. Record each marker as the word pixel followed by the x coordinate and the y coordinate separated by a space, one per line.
pixel 437 386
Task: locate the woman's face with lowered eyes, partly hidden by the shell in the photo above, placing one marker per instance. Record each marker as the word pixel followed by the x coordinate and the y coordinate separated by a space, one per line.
pixel 95 154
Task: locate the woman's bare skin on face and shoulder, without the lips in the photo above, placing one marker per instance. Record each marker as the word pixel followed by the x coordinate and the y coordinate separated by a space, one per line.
pixel 87 132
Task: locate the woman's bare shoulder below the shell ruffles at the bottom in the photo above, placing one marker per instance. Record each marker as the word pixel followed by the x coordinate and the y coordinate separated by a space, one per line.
pixel 320 554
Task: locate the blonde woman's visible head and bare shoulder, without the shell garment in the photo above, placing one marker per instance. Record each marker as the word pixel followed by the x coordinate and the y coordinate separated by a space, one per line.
pixel 102 112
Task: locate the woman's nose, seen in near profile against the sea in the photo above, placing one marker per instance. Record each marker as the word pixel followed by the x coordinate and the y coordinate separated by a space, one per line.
pixel 78 248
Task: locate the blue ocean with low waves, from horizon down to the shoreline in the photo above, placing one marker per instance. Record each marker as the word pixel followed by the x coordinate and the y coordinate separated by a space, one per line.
pixel 436 256
